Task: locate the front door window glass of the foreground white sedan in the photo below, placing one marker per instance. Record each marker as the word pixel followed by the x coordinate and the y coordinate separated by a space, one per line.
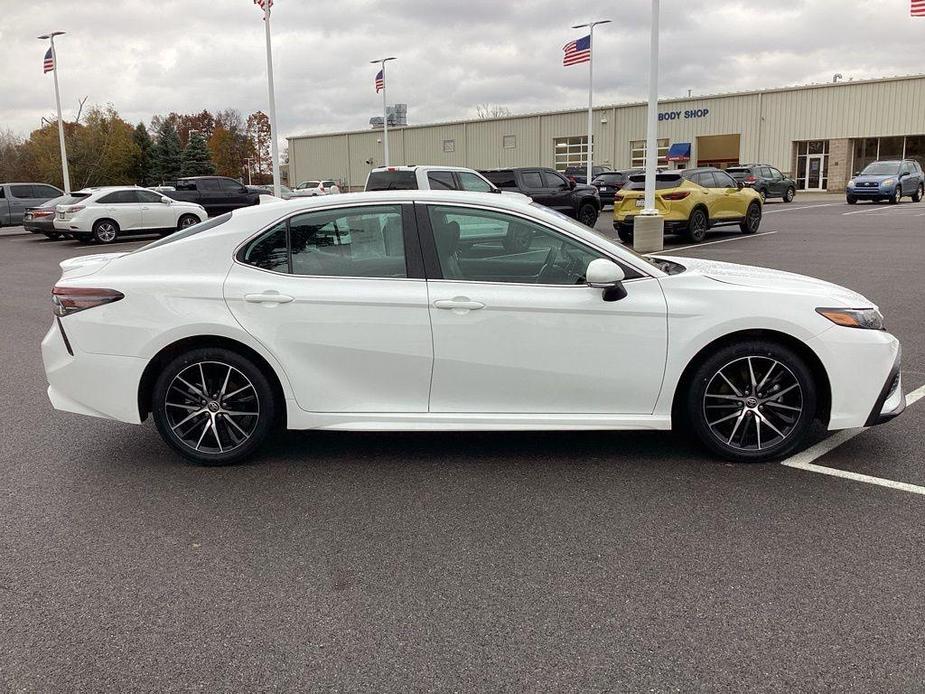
pixel 486 246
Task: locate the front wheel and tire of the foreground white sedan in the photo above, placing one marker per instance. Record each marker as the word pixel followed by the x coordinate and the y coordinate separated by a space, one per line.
pixel 730 425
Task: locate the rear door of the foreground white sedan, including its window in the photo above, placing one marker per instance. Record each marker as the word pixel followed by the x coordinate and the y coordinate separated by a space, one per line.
pixel 335 296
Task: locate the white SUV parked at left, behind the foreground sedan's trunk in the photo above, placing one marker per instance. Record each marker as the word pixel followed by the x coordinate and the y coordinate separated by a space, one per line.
pixel 107 213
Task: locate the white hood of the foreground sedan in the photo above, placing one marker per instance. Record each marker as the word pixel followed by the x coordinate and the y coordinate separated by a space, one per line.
pixel 759 277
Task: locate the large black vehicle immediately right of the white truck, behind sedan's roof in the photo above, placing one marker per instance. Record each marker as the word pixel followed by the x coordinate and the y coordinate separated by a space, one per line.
pixel 550 188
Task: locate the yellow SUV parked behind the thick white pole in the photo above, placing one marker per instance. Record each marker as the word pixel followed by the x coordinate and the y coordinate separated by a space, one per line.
pixel 692 201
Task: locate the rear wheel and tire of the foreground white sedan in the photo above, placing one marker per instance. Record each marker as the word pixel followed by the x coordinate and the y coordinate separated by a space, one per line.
pixel 202 429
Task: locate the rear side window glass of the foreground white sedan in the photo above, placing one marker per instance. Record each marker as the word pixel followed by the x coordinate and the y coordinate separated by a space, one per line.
pixel 353 242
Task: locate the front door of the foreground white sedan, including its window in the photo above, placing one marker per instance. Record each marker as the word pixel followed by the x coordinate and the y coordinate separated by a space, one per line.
pixel 517 330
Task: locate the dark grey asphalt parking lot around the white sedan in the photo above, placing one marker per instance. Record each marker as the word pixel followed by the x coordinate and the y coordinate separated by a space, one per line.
pixel 460 562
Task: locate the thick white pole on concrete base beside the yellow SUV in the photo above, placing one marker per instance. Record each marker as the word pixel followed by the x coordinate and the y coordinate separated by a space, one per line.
pixel 649 225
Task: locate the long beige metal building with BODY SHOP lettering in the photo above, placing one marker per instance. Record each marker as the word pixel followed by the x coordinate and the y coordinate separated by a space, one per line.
pixel 819 133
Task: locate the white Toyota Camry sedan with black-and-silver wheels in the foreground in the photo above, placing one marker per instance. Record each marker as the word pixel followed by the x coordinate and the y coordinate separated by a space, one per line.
pixel 426 310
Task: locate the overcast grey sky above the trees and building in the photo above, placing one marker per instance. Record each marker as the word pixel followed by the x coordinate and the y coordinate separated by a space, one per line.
pixel 156 56
